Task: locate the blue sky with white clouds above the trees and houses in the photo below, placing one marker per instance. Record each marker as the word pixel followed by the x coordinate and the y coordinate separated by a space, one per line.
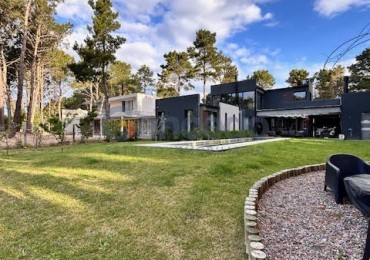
pixel 277 35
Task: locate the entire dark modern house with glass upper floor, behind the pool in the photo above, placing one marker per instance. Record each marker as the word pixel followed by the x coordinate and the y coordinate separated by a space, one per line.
pixel 288 111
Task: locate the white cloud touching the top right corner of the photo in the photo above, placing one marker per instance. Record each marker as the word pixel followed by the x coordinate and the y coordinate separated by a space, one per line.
pixel 332 8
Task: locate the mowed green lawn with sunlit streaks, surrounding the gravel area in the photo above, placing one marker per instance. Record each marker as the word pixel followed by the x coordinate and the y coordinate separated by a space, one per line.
pixel 117 201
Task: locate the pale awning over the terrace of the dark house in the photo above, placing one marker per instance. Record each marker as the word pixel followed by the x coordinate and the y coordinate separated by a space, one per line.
pixel 299 112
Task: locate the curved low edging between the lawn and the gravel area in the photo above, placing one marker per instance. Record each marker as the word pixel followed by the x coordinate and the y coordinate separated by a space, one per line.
pixel 252 240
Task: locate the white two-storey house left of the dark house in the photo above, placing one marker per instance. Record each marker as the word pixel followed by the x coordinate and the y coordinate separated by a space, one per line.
pixel 135 112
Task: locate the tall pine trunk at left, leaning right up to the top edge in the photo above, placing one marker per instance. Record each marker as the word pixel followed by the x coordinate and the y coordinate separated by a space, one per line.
pixel 21 68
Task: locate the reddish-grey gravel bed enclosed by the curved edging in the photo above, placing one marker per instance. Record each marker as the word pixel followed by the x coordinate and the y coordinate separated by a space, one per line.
pixel 298 220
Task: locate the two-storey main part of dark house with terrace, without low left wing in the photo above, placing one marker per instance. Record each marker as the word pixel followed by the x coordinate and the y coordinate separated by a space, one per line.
pixel 293 111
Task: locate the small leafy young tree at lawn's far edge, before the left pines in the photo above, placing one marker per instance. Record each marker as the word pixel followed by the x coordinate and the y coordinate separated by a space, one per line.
pixel 57 127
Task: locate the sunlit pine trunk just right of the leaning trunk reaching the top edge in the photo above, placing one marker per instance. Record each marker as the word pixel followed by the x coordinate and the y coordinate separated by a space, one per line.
pixel 33 91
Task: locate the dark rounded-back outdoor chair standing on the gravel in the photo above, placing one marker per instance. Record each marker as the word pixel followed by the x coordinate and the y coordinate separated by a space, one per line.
pixel 340 166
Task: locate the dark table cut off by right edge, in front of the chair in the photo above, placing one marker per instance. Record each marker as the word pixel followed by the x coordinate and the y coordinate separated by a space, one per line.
pixel 358 190
